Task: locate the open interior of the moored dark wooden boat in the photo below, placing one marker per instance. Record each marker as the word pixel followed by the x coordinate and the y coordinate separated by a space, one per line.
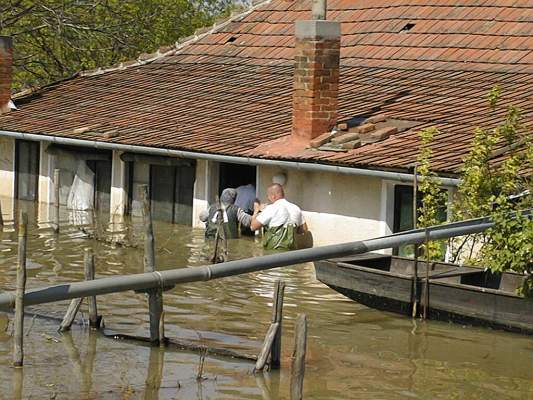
pixel 439 271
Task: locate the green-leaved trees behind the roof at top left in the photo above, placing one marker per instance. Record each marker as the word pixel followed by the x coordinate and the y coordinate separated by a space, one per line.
pixel 53 39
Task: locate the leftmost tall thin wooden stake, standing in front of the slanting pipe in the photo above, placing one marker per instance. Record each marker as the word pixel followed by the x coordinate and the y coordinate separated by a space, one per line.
pixel 18 350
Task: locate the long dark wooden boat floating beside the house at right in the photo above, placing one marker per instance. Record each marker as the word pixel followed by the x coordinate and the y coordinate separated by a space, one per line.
pixel 459 294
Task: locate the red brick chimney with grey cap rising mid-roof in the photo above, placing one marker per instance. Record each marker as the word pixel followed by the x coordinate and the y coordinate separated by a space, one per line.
pixel 316 75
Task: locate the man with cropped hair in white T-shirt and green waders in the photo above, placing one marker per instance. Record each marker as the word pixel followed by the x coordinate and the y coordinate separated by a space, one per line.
pixel 281 221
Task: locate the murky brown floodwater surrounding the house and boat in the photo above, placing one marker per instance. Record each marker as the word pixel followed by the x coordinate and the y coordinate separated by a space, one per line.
pixel 353 352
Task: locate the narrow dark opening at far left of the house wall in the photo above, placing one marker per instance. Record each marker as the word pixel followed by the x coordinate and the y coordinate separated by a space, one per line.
pixel 27 170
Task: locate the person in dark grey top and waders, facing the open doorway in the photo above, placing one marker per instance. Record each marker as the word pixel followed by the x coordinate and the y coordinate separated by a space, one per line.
pixel 231 216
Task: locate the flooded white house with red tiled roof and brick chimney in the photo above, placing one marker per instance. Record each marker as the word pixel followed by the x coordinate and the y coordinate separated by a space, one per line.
pixel 328 103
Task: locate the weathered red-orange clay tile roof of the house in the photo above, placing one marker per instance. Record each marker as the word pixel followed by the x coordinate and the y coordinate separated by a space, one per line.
pixel 431 62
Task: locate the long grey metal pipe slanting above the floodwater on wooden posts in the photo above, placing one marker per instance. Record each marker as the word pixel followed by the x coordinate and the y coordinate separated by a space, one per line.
pixel 171 277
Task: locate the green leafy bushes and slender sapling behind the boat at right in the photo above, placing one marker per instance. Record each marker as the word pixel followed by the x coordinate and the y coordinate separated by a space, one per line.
pixel 496 181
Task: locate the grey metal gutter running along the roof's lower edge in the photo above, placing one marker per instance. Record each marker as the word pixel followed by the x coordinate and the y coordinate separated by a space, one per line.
pixel 304 166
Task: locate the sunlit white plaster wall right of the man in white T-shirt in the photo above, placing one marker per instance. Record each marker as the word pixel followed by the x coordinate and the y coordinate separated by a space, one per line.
pixel 337 208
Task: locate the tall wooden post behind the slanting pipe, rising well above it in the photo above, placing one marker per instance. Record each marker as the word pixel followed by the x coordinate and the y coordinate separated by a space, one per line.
pixel 155 296
